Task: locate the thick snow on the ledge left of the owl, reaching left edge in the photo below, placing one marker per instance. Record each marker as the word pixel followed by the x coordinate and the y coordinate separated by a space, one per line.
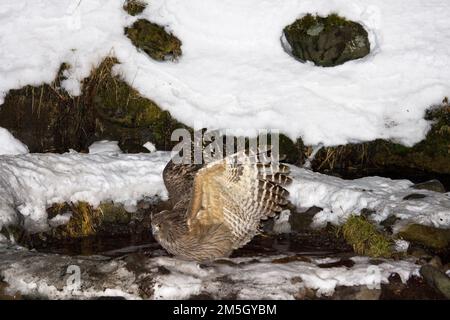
pixel 32 182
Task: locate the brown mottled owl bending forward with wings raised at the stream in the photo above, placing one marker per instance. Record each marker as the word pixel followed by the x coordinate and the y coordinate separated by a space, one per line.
pixel 218 207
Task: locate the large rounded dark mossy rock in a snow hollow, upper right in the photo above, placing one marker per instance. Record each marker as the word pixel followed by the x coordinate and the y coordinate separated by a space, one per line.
pixel 327 41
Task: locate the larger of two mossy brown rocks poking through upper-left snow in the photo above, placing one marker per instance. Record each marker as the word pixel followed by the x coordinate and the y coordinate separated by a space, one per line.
pixel 154 40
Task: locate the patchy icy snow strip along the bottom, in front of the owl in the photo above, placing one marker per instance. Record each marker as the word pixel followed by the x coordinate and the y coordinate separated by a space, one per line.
pixel 46 275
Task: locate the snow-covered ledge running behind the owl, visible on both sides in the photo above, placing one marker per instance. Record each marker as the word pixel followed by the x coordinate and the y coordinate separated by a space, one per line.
pixel 31 183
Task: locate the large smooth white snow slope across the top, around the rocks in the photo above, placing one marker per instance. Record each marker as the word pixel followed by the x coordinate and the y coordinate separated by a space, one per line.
pixel 234 72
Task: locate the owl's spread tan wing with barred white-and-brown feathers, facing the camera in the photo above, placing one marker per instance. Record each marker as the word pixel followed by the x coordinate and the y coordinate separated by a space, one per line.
pixel 238 192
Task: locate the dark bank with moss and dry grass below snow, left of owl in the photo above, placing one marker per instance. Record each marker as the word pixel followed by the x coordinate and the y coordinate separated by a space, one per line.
pixel 47 119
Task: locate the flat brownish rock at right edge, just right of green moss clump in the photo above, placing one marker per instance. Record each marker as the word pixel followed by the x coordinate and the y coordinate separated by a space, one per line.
pixel 425 235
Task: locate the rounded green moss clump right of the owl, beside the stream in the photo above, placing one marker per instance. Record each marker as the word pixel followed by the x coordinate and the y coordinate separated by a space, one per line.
pixel 364 237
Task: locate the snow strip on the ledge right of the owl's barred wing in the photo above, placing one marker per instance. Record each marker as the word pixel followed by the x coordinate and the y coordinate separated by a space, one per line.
pixel 340 198
